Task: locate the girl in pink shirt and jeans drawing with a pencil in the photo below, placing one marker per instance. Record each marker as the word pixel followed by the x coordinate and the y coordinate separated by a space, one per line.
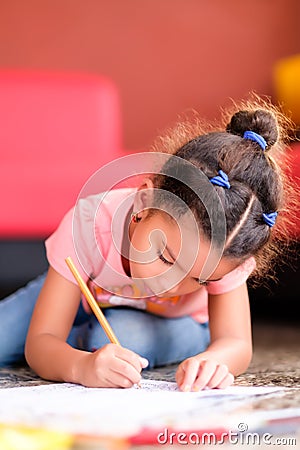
pixel 164 261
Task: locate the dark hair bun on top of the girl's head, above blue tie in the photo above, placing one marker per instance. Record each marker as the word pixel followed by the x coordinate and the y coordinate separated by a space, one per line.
pixel 261 121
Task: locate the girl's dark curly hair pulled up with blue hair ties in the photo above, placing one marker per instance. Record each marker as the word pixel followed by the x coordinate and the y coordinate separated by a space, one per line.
pixel 256 181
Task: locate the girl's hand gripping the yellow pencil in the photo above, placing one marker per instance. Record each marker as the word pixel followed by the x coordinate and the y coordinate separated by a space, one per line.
pixel 112 366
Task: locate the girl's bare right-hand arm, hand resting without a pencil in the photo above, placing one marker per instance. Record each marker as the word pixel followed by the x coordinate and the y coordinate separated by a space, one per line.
pixel 230 351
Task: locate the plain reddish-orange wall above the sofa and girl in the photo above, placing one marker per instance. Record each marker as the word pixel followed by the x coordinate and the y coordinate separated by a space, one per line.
pixel 165 56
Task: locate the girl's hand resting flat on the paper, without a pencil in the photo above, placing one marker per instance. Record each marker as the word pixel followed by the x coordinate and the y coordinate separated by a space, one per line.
pixel 195 374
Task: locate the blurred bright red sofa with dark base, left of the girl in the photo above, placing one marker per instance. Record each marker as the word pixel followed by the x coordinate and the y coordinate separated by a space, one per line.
pixel 56 129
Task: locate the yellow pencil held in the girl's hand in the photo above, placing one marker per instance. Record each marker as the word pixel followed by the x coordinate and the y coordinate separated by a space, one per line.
pixel 92 303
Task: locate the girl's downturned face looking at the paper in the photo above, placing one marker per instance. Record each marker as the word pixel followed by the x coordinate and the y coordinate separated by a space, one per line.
pixel 168 258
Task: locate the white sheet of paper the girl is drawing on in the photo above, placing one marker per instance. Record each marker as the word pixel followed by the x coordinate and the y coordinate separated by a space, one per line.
pixel 117 412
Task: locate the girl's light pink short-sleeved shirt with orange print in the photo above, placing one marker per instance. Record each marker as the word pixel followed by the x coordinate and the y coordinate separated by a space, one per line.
pixel 92 232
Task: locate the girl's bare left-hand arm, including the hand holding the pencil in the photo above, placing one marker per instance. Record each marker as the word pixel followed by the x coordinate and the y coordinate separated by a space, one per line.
pixel 52 358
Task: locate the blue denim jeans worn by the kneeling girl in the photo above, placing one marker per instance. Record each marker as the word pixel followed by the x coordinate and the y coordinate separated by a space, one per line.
pixel 159 339
